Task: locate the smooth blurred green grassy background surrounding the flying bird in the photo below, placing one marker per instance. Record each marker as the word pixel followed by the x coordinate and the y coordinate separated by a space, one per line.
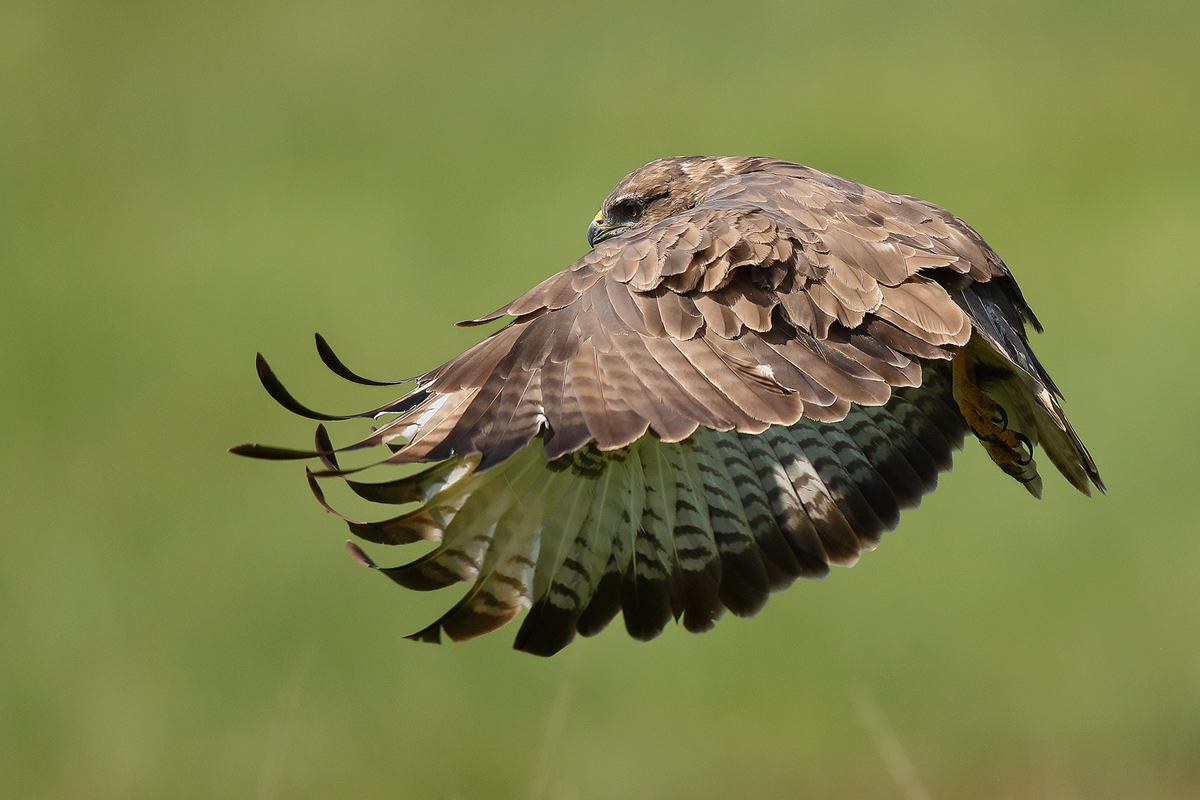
pixel 185 184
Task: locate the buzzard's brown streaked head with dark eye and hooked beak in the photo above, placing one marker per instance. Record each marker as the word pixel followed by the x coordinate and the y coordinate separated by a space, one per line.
pixel 657 191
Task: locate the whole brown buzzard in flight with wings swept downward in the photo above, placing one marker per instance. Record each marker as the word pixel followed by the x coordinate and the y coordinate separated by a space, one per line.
pixel 749 376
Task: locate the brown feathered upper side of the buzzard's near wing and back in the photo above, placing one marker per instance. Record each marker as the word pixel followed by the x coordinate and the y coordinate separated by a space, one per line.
pixel 778 298
